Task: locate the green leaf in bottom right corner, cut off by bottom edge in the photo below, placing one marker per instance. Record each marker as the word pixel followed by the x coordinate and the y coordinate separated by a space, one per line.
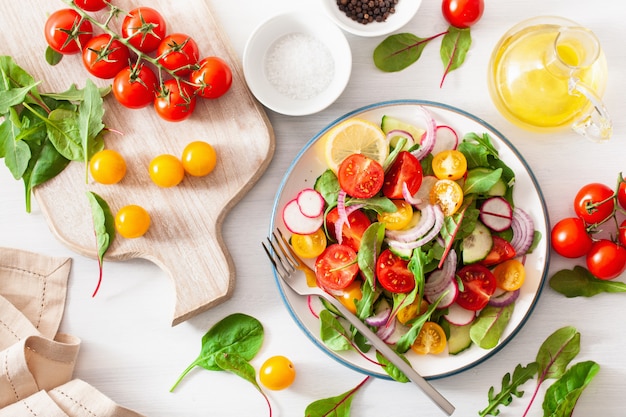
pixel 561 397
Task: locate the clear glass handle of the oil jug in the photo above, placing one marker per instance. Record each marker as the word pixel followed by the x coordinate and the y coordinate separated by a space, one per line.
pixel 597 125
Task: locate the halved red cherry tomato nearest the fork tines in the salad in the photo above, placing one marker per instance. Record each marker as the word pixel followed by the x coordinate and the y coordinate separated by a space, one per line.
pixel 336 267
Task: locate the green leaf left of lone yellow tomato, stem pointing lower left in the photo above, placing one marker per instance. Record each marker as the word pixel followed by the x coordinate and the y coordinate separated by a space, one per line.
pixel 235 334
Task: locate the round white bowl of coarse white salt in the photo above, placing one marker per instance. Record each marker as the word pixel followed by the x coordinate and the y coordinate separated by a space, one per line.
pixel 297 63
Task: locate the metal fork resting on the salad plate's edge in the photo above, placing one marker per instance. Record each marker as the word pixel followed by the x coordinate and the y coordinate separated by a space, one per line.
pixel 286 264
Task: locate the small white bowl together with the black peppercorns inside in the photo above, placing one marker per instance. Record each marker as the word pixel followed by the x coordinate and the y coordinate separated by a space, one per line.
pixel 371 17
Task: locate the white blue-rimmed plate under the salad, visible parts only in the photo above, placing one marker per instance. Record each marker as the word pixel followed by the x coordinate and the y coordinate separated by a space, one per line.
pixel 310 163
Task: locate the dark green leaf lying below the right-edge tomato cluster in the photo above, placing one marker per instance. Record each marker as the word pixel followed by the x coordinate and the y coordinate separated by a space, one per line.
pixel 579 282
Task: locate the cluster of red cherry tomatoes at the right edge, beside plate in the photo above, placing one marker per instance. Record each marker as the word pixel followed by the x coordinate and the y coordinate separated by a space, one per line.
pixel 597 207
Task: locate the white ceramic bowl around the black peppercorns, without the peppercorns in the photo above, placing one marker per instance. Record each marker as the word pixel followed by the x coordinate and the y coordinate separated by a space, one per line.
pixel 405 11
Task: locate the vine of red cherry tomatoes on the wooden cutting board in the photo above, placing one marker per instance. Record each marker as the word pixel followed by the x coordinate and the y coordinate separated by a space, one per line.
pixel 147 64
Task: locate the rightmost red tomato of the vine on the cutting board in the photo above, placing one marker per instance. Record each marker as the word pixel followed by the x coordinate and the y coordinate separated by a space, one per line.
pixel 213 77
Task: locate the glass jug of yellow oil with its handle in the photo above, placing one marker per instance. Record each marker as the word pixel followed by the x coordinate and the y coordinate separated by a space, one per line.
pixel 548 73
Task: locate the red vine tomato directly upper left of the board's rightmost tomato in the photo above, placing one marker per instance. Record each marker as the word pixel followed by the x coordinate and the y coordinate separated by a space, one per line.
pixel 179 53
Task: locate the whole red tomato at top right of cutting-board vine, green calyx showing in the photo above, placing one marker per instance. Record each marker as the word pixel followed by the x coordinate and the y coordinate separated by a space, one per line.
pixel 144 28
